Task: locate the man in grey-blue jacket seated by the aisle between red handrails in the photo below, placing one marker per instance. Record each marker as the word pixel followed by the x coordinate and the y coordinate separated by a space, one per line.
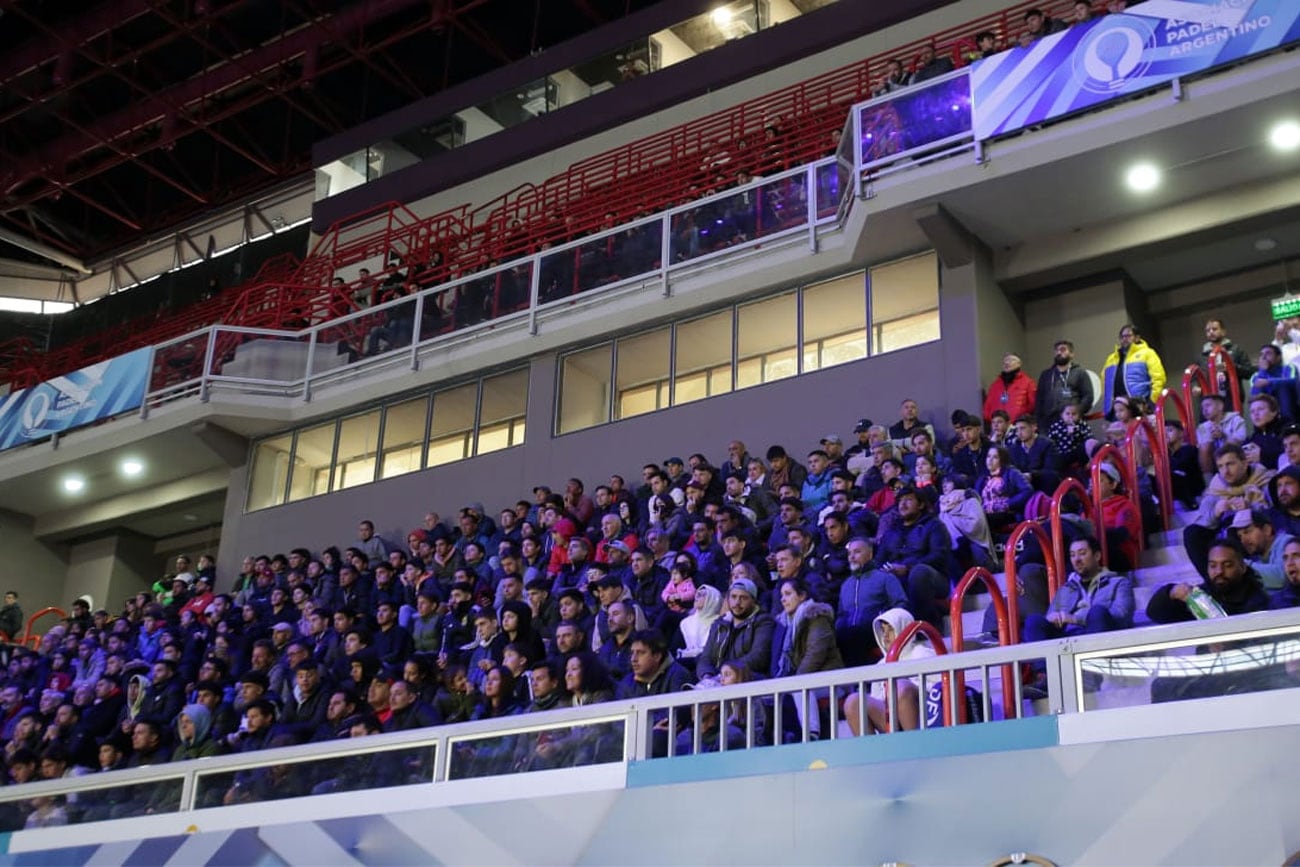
pixel 1093 599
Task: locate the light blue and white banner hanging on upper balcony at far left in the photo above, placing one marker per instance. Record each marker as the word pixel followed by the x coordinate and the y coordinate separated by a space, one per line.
pixel 75 400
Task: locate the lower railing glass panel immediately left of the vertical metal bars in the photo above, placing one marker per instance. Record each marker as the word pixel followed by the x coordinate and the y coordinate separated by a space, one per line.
pixel 539 749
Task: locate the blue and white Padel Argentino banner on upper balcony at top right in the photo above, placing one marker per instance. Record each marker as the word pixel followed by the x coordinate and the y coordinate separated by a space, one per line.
pixel 1117 55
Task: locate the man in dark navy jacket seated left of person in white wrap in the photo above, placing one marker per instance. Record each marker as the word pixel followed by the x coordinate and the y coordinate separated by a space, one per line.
pixel 918 550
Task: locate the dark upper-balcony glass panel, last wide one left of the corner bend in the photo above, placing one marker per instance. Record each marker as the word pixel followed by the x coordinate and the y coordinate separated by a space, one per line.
pixel 738 218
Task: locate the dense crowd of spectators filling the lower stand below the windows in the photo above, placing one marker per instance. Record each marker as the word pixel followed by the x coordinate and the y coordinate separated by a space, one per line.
pixel 707 573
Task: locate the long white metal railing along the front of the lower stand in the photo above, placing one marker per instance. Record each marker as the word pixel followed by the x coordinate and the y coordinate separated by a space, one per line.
pixel 647 729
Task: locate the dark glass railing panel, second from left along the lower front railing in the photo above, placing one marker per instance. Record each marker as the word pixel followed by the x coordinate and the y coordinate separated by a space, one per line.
pixel 376 769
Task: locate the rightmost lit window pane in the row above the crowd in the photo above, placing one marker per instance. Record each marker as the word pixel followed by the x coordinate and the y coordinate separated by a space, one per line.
pixel 905 302
